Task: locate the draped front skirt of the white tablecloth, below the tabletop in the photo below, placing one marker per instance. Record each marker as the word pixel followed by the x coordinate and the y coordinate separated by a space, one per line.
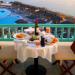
pixel 24 52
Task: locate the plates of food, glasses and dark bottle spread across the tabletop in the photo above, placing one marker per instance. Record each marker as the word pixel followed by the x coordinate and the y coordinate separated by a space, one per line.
pixel 30 39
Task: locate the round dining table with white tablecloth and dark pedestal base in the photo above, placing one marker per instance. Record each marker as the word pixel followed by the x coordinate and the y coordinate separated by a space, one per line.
pixel 29 49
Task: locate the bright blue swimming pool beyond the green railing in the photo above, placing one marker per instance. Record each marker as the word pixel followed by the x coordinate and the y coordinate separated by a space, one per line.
pixel 8 17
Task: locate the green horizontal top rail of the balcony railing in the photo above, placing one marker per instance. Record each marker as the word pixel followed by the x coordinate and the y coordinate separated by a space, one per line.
pixel 40 25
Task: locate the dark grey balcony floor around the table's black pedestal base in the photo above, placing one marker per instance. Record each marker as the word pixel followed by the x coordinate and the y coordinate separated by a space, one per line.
pixel 19 69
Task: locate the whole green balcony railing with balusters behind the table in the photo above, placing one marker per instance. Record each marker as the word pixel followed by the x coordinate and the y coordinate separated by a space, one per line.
pixel 65 32
